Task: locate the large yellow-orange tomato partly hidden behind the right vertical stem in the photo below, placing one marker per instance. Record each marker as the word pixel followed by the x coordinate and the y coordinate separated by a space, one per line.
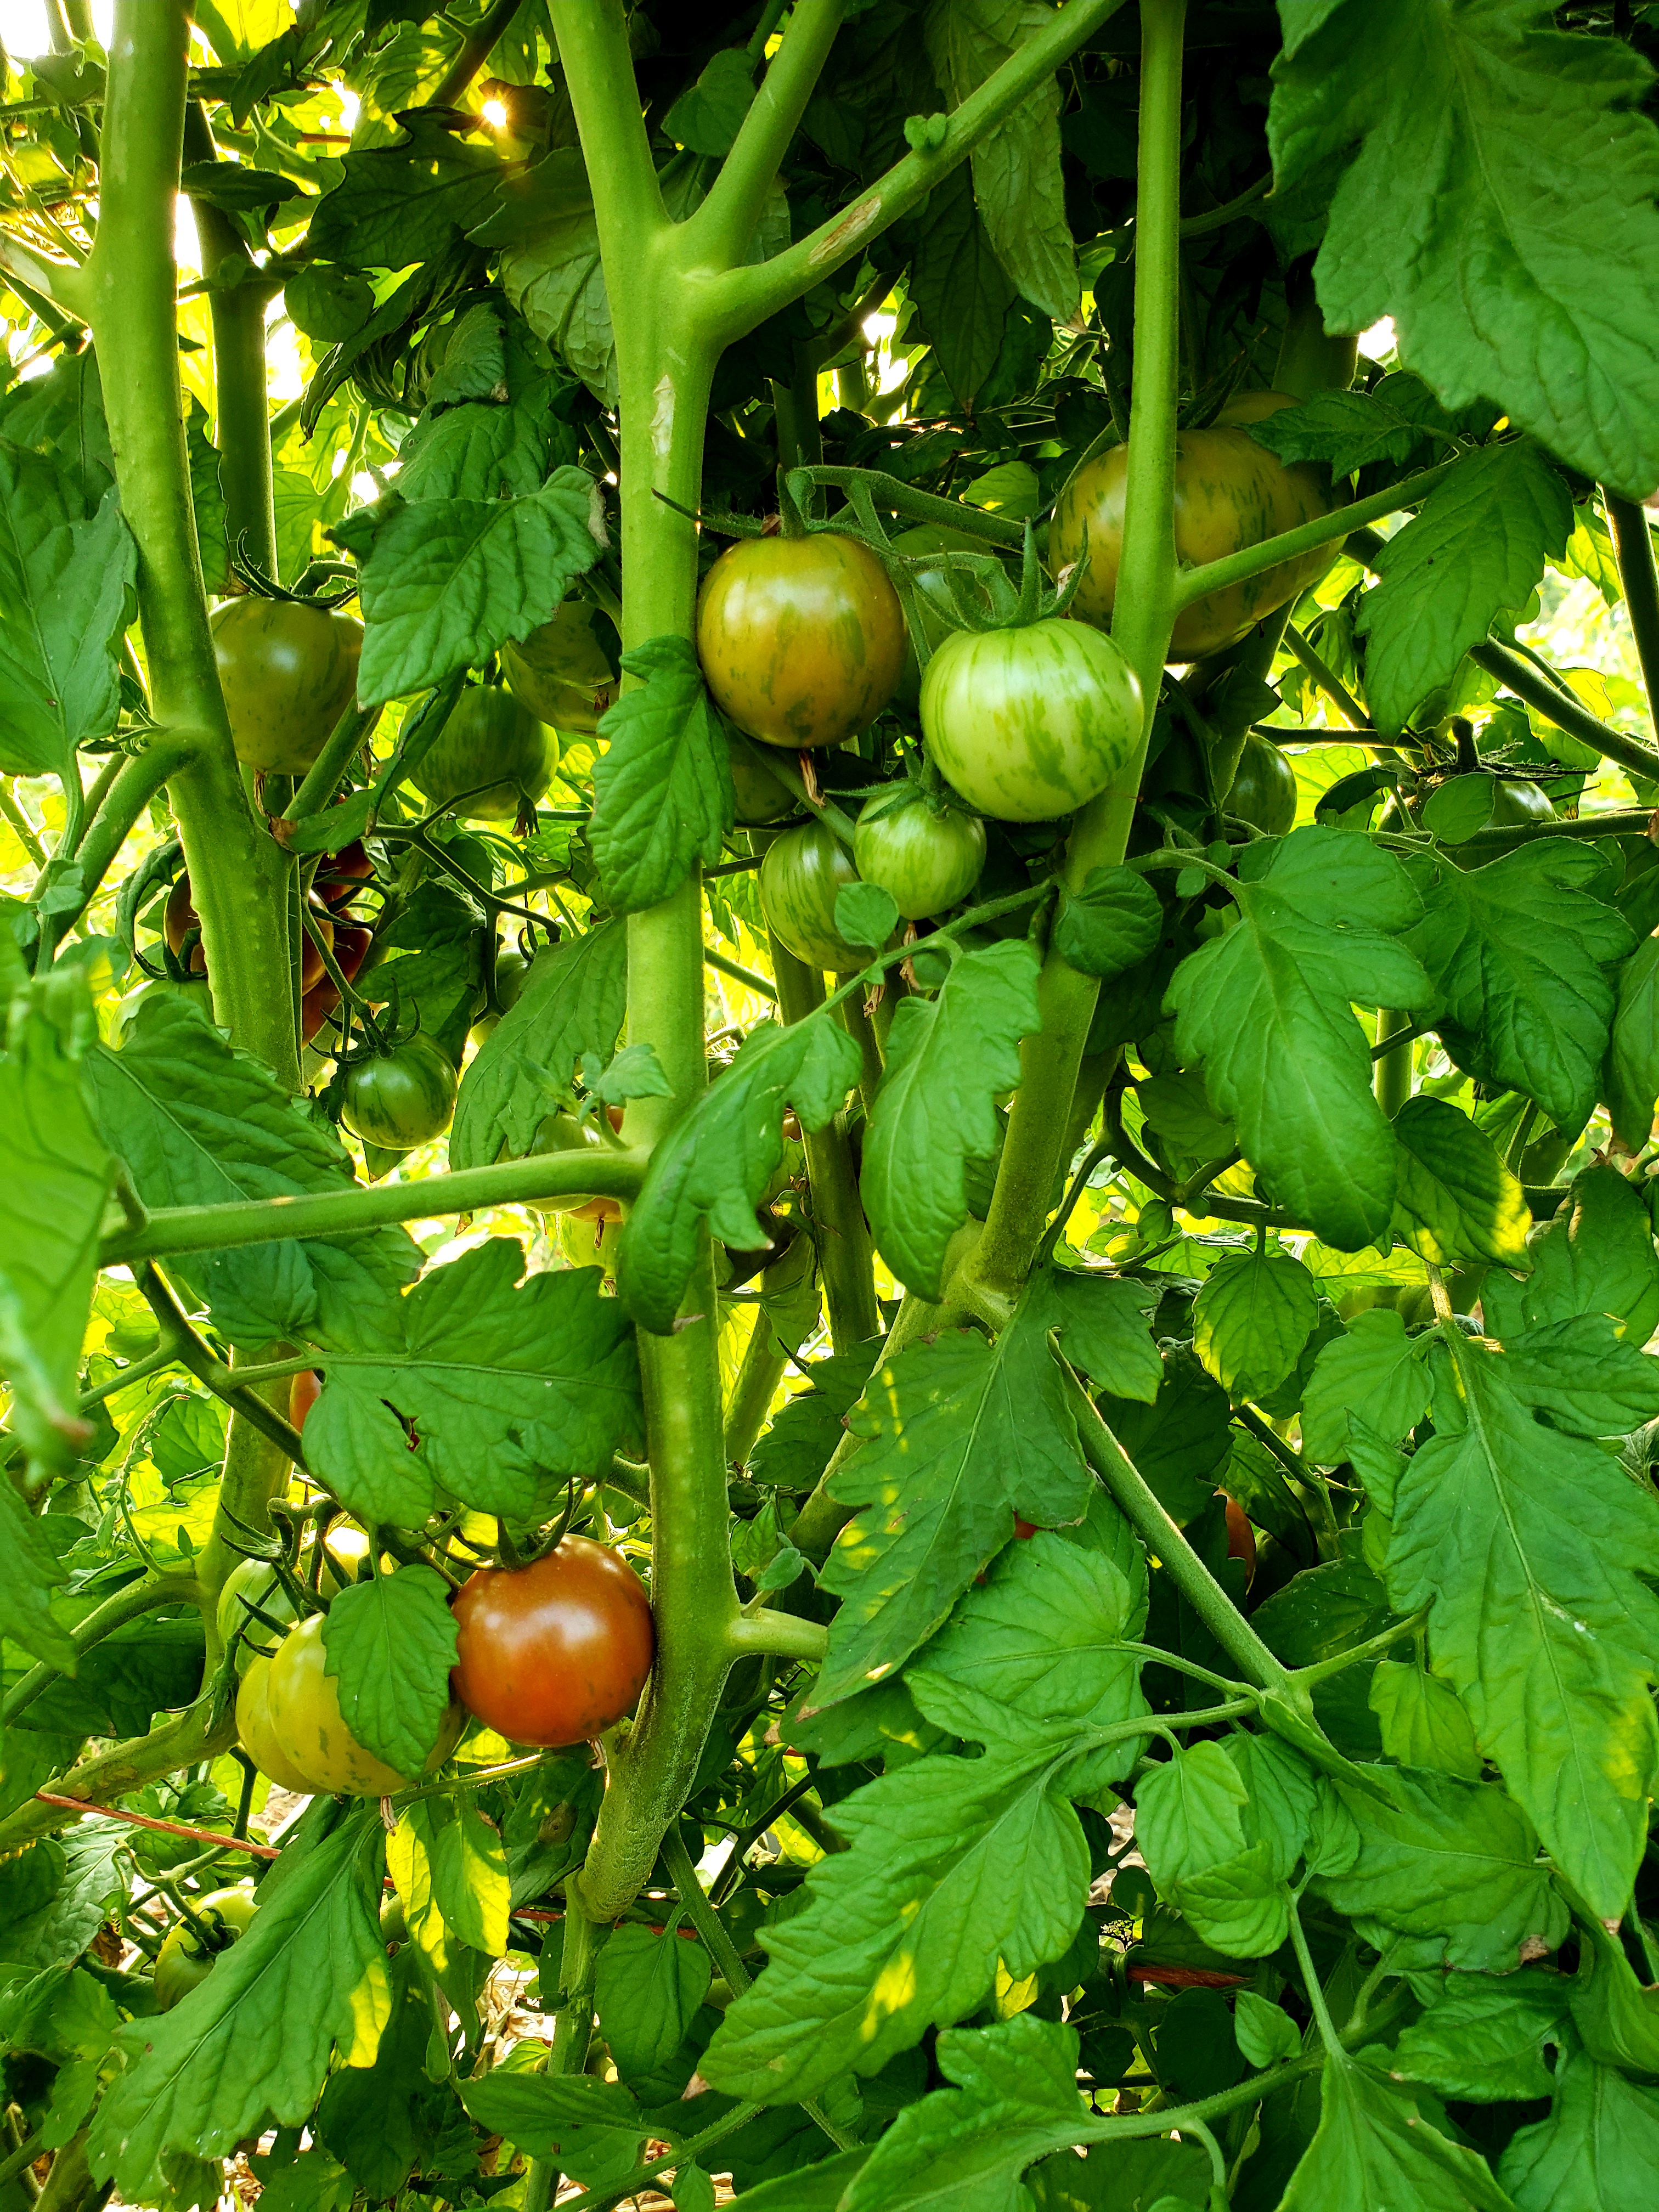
pixel 1229 494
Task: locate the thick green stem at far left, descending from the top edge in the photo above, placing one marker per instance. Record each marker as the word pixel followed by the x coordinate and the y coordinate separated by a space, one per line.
pixel 238 877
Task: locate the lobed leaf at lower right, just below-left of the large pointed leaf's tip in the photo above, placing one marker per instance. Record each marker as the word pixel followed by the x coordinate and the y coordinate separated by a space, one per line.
pixel 1450 1861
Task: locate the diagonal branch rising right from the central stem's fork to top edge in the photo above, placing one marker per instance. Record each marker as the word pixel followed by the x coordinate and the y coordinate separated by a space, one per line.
pixel 731 302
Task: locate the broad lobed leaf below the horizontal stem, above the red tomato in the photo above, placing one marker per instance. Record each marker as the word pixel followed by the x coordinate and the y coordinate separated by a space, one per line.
pixel 510 1388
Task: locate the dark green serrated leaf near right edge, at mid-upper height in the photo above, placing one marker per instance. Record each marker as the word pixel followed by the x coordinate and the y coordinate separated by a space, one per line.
pixel 1516 954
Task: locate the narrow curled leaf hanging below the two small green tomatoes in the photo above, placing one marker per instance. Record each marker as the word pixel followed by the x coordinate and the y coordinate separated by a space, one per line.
pixel 948 1061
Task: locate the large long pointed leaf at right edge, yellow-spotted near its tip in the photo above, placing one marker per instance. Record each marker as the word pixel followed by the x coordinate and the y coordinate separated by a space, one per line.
pixel 1534 1550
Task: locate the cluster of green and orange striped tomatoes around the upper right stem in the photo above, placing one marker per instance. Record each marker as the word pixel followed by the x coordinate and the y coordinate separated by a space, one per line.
pixel 804 643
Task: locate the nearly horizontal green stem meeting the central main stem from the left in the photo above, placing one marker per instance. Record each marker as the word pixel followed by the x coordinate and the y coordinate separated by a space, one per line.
pixel 355 1209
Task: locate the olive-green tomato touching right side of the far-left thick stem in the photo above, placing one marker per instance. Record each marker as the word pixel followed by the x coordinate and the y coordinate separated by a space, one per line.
pixel 289 674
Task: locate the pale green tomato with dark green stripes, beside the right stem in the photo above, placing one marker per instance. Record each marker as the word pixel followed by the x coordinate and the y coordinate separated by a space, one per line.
pixel 1030 724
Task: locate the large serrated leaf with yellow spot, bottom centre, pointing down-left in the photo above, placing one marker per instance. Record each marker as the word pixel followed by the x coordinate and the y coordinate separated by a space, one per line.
pixel 952 1864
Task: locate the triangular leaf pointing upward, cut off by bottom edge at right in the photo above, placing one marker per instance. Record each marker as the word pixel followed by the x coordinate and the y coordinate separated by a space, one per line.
pixel 1377 2147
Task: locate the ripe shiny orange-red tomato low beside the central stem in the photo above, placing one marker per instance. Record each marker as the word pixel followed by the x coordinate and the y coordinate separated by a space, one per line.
pixel 556 1651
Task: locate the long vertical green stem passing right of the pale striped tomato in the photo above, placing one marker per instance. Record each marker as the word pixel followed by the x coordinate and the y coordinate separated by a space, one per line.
pixel 1142 620
